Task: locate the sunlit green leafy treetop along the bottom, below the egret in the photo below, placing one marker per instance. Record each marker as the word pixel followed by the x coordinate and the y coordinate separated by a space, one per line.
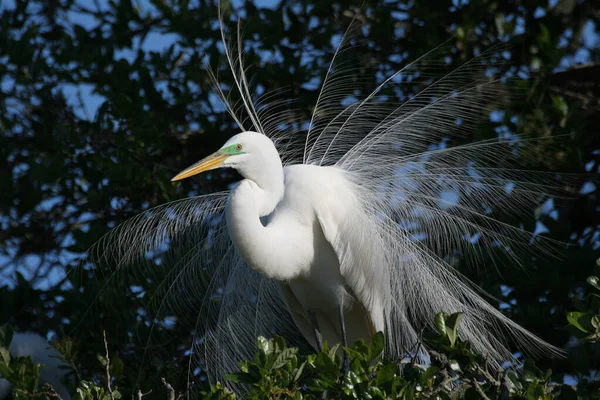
pixel 280 372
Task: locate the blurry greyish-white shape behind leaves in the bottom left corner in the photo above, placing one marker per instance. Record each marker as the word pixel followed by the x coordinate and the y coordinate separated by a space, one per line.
pixel 52 370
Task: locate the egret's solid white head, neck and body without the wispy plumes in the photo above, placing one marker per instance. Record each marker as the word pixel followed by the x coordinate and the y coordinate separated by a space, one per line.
pixel 317 242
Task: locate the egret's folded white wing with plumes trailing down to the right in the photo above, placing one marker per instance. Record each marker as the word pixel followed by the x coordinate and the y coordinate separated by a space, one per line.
pixel 401 280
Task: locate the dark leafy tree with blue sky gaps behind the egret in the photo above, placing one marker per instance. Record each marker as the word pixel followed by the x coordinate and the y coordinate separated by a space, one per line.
pixel 102 102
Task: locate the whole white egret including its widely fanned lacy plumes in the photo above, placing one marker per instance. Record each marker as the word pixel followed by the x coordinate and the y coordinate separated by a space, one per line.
pixel 352 220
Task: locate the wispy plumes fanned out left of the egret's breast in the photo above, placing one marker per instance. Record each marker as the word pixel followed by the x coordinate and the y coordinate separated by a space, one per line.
pixel 178 260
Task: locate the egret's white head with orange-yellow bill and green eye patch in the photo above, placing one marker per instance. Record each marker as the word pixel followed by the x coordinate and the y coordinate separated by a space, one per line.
pixel 248 152
